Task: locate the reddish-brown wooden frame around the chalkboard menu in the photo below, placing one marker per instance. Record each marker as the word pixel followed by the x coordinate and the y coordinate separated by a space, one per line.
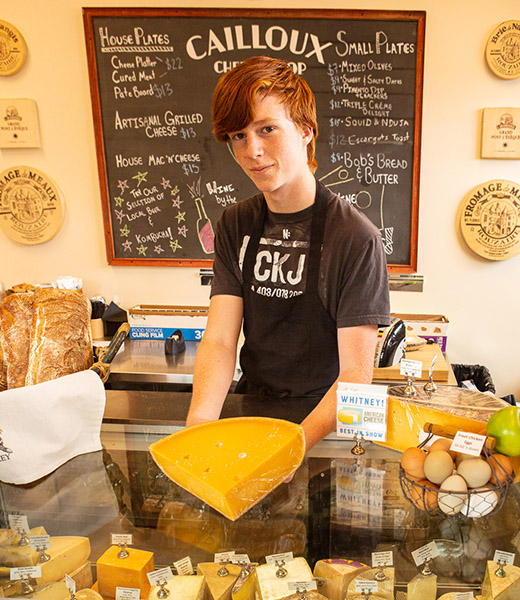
pixel 410 203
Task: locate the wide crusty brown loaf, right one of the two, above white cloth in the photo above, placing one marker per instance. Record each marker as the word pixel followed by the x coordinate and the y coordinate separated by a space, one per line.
pixel 61 341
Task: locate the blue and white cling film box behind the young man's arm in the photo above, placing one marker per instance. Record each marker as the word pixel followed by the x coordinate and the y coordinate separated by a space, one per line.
pixel 158 322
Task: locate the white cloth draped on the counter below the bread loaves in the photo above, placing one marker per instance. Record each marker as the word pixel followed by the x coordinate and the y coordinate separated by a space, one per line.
pixel 43 426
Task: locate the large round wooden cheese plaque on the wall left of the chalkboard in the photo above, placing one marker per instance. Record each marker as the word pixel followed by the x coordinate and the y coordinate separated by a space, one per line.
pixel 31 209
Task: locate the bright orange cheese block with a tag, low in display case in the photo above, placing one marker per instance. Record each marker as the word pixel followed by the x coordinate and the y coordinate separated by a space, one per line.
pixel 129 572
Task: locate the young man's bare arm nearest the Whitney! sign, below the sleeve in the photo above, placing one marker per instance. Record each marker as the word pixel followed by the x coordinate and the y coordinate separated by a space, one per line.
pixel 356 364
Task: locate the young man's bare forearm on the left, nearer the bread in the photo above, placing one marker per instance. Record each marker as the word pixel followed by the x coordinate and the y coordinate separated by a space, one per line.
pixel 216 358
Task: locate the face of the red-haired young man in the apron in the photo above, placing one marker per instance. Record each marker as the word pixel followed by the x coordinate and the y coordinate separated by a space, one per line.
pixel 271 149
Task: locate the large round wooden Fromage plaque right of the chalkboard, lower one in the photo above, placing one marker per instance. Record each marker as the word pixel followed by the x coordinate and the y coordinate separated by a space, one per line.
pixel 490 219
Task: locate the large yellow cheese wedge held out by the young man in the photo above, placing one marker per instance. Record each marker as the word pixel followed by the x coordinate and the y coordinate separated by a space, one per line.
pixel 231 464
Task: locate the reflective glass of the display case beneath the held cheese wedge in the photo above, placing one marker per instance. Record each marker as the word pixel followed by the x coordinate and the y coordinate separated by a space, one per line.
pixel 337 505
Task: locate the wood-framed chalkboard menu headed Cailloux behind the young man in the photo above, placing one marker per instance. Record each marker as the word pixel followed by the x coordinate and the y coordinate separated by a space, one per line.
pixel 165 180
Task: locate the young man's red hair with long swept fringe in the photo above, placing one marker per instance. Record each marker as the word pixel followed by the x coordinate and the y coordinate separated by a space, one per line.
pixel 236 91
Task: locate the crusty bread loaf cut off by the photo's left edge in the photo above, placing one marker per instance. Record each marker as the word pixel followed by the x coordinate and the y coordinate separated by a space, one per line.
pixel 16 312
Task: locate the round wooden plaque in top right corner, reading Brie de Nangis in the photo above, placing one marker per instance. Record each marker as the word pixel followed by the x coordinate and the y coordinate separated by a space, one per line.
pixel 503 50
